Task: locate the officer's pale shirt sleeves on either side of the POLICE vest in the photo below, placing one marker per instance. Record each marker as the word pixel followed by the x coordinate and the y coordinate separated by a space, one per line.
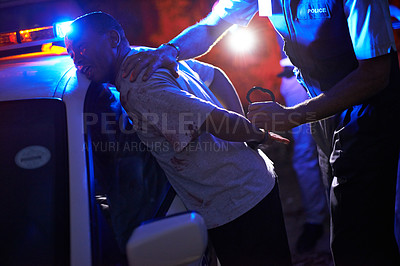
pixel 368 21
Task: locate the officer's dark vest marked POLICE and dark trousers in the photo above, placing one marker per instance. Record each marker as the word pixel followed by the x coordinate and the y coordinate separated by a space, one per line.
pixel 360 143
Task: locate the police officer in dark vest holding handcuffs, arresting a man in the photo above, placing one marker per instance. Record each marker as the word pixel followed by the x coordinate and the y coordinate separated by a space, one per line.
pixel 345 56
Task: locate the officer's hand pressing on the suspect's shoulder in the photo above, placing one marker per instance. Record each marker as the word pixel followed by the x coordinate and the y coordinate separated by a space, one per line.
pixel 150 60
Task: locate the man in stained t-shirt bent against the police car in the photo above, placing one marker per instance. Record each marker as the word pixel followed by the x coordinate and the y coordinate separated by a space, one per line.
pixel 204 149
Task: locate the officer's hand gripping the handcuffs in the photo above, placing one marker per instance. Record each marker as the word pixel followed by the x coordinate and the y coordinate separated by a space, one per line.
pixel 271 116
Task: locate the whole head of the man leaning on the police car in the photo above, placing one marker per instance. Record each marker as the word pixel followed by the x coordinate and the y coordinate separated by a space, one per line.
pixel 97 44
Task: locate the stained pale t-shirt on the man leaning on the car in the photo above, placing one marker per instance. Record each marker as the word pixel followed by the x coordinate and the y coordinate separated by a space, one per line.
pixel 219 179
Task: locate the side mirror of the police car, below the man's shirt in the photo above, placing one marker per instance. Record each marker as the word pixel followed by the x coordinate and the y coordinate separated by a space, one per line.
pixel 174 240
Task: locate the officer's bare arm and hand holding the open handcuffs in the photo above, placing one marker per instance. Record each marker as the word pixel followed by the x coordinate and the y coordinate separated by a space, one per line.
pixel 371 76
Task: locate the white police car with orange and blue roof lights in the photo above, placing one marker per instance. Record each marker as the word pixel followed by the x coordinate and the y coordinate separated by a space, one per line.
pixel 77 185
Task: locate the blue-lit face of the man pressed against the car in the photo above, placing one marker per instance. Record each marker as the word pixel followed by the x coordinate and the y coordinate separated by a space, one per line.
pixel 92 54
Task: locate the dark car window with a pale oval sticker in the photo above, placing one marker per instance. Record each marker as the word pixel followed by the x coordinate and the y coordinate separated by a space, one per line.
pixel 34 178
